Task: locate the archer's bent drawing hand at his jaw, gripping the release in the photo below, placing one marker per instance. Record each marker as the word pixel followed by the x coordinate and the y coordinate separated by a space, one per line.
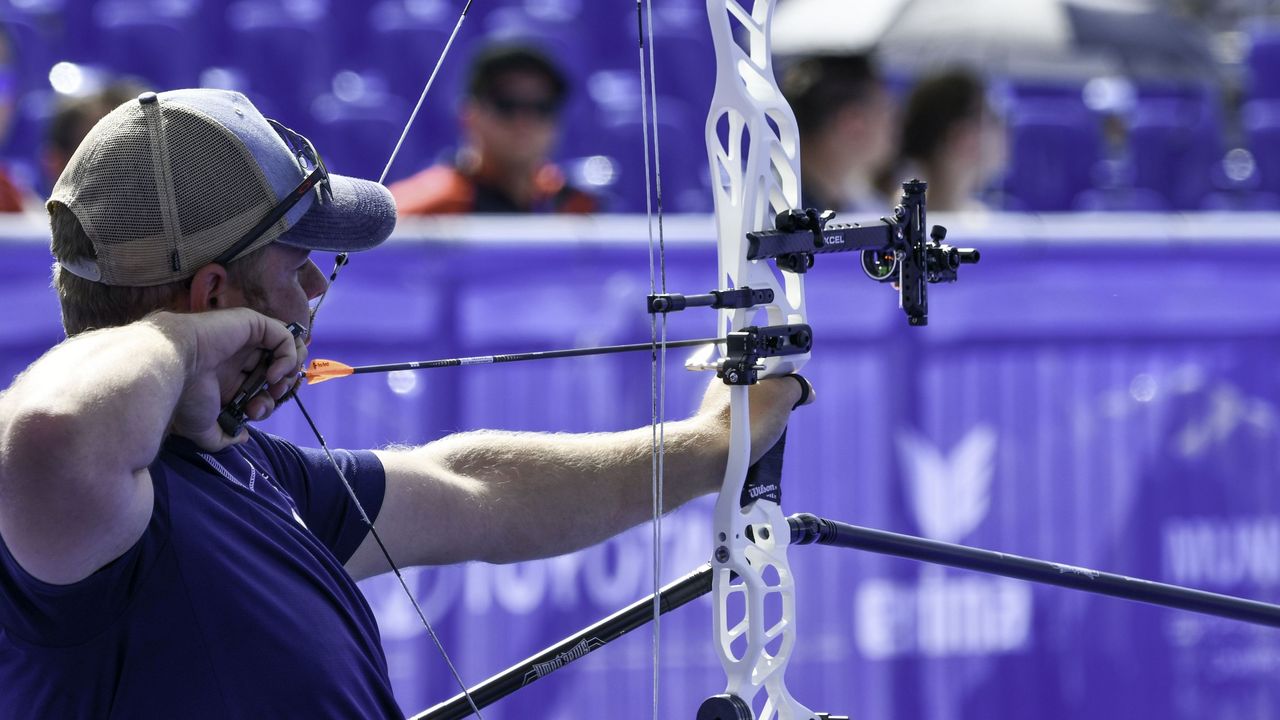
pixel 222 349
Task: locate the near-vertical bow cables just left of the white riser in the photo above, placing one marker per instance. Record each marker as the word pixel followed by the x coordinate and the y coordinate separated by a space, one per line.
pixel 657 327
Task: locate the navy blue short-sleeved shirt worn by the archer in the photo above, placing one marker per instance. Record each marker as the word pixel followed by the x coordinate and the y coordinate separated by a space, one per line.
pixel 232 604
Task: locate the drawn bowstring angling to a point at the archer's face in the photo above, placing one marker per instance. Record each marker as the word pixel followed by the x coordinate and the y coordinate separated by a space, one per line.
pixel 342 259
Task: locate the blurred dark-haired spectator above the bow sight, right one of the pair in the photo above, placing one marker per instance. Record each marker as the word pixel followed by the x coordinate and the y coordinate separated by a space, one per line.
pixel 953 139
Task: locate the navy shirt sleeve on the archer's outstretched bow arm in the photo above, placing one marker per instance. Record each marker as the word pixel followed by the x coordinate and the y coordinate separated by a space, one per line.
pixel 321 494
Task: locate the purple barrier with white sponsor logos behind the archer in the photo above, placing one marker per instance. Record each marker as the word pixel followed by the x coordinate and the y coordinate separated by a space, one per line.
pixel 1103 402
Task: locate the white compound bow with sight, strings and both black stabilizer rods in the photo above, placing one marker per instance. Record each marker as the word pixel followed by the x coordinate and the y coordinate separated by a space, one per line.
pixel 753 147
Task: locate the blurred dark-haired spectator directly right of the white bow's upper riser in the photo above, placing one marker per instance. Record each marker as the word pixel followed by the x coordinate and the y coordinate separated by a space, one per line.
pixel 847 131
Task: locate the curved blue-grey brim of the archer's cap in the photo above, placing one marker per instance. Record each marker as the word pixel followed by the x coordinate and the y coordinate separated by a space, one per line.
pixel 360 216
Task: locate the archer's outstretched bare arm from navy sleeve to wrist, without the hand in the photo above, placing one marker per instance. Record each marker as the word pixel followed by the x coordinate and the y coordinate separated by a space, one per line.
pixel 505 498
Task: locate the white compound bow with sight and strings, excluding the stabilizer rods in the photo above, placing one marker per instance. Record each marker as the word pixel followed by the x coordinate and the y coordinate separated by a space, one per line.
pixel 755 153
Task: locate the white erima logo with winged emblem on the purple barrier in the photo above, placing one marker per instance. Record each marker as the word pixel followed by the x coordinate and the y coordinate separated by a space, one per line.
pixel 943 614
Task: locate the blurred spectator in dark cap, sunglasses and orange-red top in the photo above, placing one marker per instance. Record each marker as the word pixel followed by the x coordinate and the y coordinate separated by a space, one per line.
pixel 510 125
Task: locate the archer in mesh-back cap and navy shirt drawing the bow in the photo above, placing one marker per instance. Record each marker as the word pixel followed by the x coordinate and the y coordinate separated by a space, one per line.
pixel 154 567
